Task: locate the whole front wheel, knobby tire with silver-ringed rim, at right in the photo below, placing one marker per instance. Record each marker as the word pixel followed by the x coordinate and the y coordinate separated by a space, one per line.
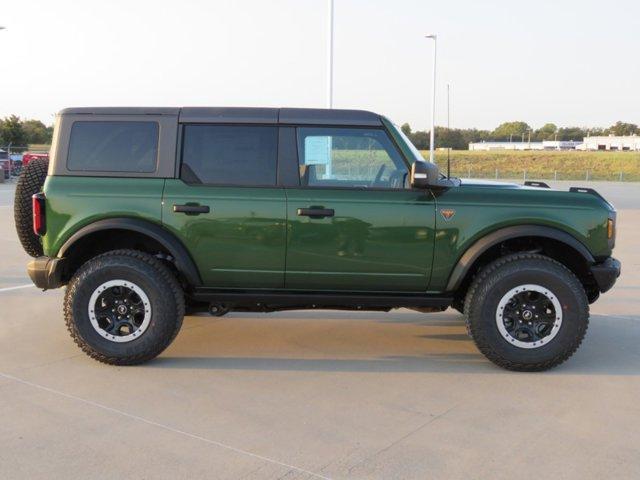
pixel 527 312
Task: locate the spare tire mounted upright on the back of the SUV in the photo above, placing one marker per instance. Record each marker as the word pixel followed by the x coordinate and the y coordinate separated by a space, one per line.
pixel 30 181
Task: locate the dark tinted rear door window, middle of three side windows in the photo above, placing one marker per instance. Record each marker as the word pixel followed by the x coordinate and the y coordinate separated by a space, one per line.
pixel 229 155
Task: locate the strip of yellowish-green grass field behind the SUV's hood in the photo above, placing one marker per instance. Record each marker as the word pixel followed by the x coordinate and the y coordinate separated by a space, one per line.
pixel 542 165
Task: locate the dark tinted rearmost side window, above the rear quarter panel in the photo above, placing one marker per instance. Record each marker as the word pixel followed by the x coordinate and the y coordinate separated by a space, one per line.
pixel 113 147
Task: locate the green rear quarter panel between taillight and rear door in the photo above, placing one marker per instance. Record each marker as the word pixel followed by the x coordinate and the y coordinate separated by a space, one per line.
pixel 73 202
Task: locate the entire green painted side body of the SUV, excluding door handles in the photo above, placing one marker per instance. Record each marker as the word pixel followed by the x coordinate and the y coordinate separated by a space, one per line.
pixel 378 240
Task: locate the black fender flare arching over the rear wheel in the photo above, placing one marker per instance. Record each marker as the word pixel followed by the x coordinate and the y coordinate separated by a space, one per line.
pixel 183 261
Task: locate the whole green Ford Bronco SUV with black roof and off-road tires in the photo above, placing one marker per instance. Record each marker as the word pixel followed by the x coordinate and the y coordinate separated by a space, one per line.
pixel 148 214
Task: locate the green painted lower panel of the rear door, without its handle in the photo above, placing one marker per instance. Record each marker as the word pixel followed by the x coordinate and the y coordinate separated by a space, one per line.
pixel 241 242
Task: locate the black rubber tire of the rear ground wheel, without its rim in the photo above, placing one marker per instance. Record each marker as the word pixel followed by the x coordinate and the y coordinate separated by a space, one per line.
pixel 158 283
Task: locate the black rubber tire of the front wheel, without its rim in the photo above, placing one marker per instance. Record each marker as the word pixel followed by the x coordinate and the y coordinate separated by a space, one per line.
pixel 498 278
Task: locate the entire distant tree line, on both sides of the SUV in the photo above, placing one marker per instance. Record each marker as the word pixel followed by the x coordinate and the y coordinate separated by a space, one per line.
pixel 18 132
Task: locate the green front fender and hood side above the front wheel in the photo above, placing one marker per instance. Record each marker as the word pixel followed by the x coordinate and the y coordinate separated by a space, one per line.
pixel 482 209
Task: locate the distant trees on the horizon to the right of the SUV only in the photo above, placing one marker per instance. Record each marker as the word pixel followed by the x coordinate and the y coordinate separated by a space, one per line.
pixel 459 139
